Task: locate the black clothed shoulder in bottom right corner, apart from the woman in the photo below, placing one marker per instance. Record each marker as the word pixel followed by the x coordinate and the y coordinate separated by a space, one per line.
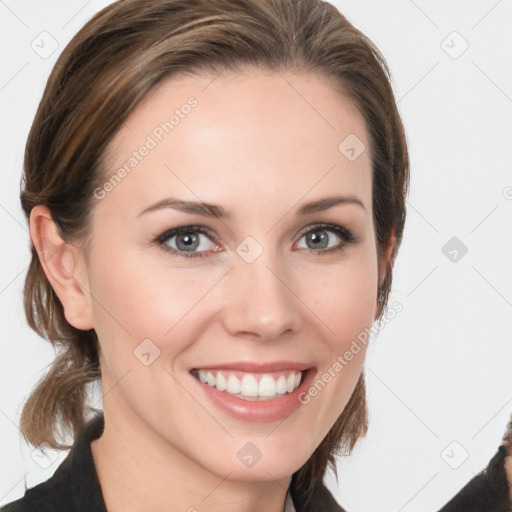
pixel 489 490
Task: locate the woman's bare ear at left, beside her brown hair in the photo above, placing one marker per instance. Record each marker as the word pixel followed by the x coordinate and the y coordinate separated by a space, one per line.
pixel 65 268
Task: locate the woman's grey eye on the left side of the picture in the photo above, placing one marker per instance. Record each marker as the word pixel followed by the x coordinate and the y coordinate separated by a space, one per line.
pixel 187 240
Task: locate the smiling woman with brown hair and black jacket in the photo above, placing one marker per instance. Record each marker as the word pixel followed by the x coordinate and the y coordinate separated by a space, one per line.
pixel 215 192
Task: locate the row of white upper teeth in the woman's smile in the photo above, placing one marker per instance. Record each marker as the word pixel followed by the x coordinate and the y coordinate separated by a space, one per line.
pixel 249 386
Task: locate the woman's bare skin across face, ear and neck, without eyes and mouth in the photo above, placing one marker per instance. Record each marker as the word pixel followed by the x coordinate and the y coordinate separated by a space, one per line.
pixel 259 148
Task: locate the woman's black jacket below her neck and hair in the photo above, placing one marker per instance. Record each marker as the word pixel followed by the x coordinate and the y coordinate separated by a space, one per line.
pixel 74 487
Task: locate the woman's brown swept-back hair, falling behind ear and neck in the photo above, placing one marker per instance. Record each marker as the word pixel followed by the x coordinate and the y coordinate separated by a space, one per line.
pixel 108 67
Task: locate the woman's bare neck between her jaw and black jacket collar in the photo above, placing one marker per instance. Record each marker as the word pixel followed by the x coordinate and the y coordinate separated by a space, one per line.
pixel 138 471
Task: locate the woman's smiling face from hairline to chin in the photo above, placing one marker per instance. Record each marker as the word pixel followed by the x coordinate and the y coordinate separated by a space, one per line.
pixel 244 293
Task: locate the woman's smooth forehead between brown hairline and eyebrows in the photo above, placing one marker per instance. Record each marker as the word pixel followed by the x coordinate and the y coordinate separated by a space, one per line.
pixel 256 132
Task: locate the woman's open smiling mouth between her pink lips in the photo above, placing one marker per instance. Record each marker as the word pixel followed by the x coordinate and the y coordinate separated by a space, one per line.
pixel 251 386
